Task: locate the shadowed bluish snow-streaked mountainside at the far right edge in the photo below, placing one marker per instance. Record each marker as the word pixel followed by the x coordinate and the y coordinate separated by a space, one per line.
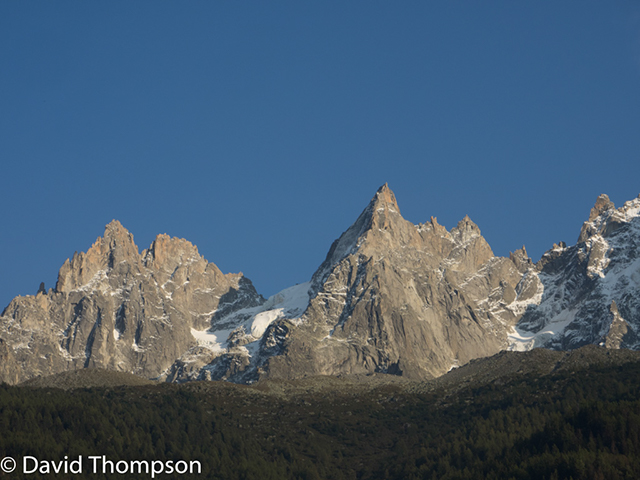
pixel 589 293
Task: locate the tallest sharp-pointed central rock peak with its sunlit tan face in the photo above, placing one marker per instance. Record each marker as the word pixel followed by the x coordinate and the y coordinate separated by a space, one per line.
pixel 395 297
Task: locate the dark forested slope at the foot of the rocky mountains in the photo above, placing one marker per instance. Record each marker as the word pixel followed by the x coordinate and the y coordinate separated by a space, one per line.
pixel 580 422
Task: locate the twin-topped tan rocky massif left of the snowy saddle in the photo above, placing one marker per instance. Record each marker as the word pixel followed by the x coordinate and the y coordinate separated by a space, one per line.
pixel 115 308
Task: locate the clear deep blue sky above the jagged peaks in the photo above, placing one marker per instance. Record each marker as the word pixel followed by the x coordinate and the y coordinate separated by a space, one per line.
pixel 260 130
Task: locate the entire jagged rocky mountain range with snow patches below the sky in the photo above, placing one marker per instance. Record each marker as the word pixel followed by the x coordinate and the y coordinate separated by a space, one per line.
pixel 390 297
